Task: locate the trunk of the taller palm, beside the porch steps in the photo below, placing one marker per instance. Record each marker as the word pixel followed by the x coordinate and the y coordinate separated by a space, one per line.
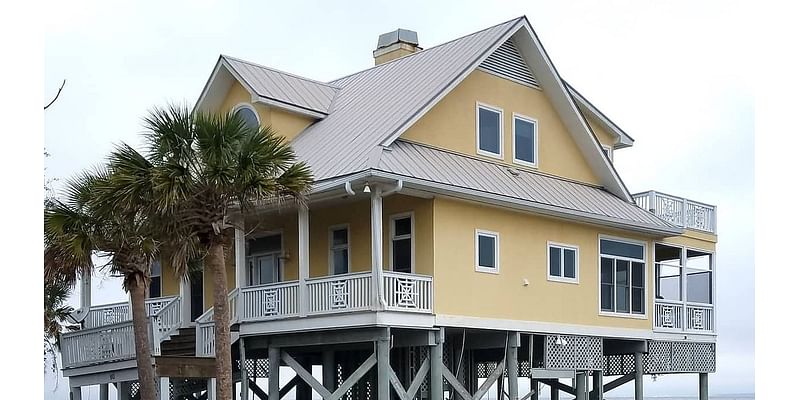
pixel 222 329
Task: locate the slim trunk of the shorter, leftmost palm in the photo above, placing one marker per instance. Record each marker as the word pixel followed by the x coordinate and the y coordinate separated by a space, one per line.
pixel 147 380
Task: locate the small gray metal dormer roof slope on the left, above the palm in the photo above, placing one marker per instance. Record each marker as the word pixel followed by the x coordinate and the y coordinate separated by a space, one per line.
pixel 284 87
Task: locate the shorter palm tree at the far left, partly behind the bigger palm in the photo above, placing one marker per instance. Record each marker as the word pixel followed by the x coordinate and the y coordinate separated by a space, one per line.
pixel 83 224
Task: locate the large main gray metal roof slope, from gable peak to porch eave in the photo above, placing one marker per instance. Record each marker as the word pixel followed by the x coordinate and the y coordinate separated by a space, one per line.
pixel 373 104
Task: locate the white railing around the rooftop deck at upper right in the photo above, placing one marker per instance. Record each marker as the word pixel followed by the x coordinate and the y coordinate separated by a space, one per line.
pixel 679 211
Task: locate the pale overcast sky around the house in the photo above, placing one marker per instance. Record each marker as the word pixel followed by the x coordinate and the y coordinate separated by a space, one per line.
pixel 668 73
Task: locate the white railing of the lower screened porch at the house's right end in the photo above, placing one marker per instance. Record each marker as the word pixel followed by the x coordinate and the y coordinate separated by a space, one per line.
pixel 673 316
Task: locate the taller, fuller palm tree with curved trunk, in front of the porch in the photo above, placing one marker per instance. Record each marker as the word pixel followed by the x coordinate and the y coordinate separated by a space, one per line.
pixel 204 167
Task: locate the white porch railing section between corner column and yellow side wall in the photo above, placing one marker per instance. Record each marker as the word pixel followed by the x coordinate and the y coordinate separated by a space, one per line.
pixel 408 292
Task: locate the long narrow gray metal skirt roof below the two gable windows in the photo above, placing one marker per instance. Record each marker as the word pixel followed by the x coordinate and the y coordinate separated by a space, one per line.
pixel 441 166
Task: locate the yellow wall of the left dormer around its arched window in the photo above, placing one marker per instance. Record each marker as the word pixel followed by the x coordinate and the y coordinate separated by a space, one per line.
pixel 285 123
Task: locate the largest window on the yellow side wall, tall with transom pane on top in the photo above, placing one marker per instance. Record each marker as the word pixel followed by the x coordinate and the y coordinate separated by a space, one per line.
pixel 622 277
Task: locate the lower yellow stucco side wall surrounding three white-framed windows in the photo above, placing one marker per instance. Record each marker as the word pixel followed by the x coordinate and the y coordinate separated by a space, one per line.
pixel 460 290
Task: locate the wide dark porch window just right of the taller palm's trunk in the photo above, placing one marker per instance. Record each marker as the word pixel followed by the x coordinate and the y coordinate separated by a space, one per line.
pixel 263 256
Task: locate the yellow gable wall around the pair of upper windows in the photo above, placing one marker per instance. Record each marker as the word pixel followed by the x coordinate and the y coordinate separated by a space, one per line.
pixel 451 125
